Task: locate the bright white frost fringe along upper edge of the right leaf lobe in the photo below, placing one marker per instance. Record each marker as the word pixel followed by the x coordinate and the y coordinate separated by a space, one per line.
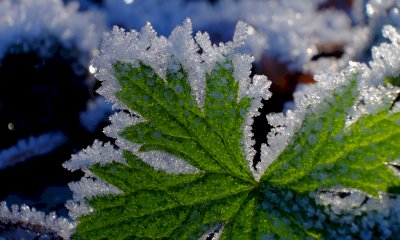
pixel 373 95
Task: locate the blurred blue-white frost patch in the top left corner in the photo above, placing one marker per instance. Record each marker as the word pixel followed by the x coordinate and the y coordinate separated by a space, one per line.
pixel 38 22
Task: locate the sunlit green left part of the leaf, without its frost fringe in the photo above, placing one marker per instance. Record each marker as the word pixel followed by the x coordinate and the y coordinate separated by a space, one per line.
pixel 156 204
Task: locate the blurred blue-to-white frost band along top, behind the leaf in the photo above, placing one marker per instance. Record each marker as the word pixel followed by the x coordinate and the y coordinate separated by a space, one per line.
pixel 290 31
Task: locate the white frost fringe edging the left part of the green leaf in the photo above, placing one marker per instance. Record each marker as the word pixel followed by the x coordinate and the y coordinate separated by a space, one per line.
pixel 163 55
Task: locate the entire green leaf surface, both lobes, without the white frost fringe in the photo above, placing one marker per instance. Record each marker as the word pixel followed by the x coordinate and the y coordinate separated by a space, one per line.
pixel 323 154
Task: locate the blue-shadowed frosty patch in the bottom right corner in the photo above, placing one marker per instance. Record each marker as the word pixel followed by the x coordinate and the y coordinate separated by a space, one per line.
pixel 362 215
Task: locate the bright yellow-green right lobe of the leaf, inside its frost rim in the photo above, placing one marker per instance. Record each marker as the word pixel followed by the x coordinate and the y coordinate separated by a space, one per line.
pixel 325 154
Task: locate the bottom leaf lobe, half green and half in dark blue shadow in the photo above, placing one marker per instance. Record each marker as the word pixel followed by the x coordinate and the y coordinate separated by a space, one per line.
pixel 277 213
